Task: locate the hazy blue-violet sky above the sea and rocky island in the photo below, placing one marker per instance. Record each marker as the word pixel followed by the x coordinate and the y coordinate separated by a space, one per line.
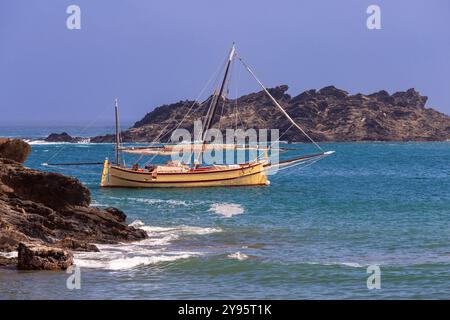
pixel 149 53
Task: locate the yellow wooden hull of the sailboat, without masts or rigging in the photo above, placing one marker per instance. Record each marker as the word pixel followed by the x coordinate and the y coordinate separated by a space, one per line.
pixel 245 175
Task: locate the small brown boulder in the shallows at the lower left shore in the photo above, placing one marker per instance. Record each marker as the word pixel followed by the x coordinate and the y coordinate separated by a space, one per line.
pixel 39 257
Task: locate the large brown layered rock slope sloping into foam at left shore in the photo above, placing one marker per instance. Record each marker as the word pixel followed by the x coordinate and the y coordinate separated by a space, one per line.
pixel 43 208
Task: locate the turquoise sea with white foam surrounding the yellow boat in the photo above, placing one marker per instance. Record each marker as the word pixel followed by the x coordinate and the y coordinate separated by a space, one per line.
pixel 310 235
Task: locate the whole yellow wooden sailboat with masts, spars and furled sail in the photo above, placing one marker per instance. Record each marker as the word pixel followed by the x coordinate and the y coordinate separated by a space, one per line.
pixel 177 174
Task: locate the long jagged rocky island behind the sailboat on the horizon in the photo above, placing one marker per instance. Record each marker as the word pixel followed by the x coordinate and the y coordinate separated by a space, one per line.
pixel 328 114
